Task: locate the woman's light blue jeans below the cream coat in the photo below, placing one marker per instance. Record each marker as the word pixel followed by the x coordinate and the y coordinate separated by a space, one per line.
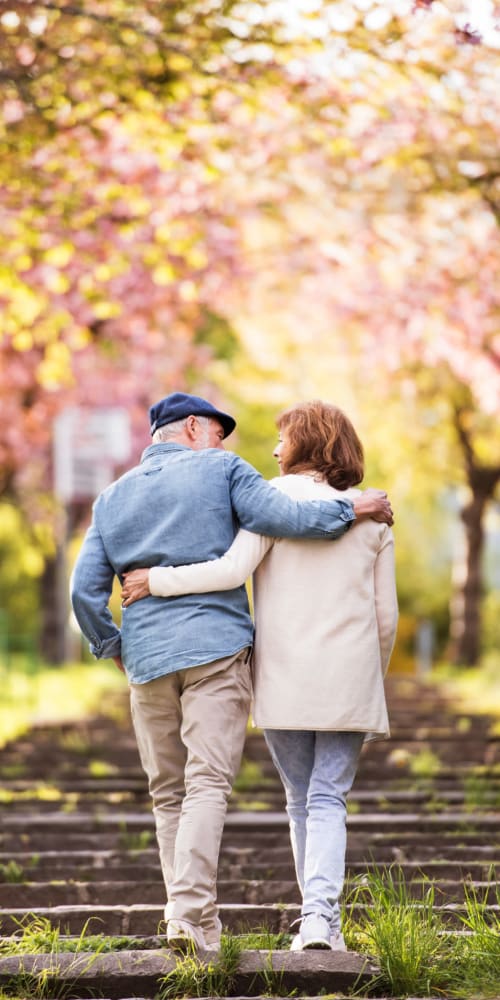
pixel 317 770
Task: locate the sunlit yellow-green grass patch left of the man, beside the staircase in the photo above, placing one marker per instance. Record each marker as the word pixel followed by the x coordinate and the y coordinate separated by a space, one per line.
pixel 53 694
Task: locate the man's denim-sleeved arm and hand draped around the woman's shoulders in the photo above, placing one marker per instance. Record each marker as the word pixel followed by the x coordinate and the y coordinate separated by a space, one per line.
pixel 268 511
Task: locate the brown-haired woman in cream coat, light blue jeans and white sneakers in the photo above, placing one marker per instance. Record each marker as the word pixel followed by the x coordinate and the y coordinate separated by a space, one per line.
pixel 325 623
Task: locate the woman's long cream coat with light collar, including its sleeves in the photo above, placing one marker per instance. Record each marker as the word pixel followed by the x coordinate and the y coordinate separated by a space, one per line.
pixel 325 615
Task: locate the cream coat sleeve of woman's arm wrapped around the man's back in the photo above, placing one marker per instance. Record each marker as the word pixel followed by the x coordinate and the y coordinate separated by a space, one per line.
pixel 226 573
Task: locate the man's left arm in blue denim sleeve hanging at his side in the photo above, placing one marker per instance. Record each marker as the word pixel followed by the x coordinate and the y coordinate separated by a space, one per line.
pixel 90 587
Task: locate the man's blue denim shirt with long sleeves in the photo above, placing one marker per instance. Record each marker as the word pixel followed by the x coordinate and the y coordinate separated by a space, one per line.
pixel 182 506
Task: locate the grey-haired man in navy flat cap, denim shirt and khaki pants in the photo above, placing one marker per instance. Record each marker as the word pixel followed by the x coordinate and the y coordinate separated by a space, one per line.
pixel 186 658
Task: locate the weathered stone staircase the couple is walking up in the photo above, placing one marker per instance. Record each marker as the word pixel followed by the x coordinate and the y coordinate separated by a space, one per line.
pixel 77 845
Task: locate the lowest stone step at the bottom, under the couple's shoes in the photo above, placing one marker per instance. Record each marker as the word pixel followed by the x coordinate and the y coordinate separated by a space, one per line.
pixel 141 974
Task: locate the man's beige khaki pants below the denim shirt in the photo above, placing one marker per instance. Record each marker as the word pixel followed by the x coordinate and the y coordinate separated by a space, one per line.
pixel 190 728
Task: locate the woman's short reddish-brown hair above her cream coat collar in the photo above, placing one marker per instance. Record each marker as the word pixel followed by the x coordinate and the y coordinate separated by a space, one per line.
pixel 320 438
